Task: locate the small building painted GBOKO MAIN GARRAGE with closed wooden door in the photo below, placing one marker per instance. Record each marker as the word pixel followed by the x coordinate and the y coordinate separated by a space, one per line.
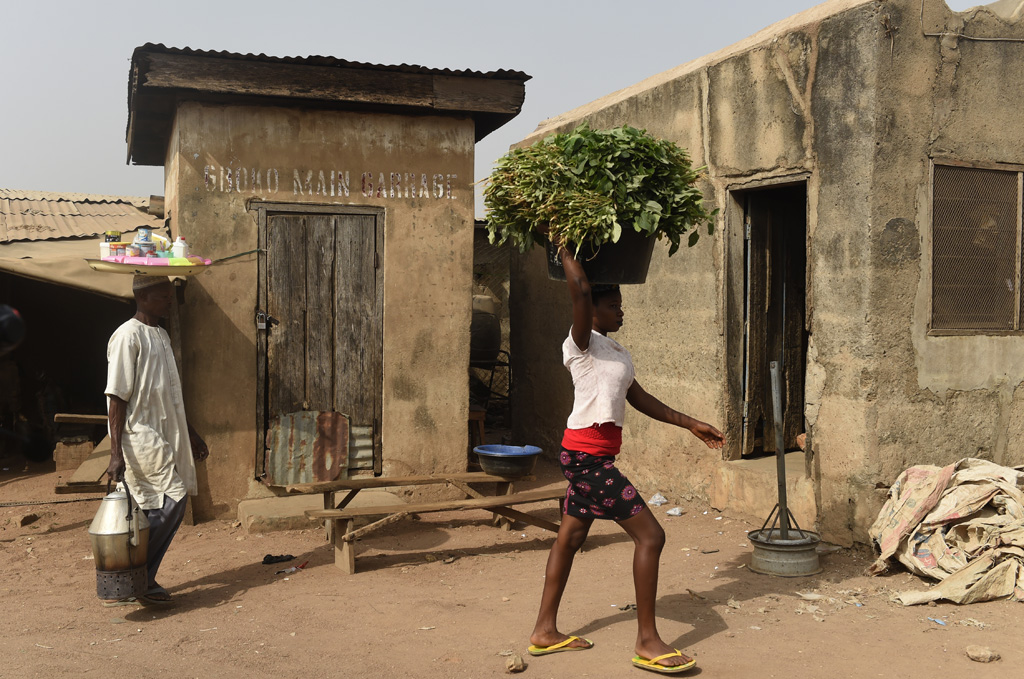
pixel 345 190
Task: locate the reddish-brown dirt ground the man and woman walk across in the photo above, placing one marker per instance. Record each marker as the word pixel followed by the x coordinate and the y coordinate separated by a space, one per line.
pixel 451 597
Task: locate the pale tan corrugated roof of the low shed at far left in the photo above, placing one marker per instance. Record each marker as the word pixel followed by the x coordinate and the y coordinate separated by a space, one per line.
pixel 44 217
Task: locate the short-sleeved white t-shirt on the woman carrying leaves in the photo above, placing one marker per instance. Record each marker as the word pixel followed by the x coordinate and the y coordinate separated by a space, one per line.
pixel 602 376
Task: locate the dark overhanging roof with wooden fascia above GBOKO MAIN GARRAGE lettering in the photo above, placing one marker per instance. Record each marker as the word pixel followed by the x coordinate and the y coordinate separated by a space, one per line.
pixel 162 77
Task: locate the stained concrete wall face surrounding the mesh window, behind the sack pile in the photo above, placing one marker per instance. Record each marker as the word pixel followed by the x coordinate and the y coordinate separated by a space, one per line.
pixel 933 400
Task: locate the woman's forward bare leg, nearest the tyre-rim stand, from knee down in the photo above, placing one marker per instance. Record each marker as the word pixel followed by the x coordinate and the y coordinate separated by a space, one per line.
pixel 649 539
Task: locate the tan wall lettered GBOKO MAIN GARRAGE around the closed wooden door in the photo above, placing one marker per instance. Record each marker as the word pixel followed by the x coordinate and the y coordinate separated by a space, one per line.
pixel 333 158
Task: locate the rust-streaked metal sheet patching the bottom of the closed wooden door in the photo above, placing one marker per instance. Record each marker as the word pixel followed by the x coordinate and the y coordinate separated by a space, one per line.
pixel 307 447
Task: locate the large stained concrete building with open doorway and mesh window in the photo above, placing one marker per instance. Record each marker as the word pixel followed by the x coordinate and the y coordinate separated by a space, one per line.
pixel 873 152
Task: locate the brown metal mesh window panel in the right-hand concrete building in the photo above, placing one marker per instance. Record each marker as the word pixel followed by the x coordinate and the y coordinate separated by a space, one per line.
pixel 976 249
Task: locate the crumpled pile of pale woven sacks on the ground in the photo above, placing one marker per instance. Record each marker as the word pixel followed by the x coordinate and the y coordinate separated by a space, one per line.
pixel 962 525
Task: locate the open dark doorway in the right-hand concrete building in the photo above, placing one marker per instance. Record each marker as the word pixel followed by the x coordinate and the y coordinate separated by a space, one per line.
pixel 775 314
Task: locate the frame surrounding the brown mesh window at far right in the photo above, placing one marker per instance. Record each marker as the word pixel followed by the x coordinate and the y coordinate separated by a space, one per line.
pixel 1016 168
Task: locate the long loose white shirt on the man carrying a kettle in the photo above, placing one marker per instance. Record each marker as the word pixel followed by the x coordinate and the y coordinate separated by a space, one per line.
pixel 141 371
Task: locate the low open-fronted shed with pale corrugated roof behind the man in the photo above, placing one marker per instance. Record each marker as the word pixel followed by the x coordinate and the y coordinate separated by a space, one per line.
pixel 69 310
